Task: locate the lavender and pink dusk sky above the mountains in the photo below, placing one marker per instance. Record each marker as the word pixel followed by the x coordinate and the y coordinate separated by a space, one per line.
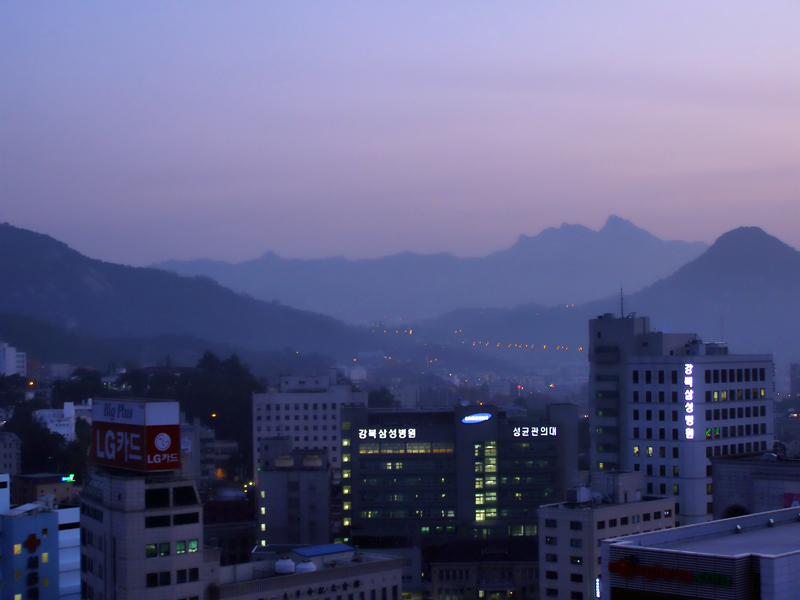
pixel 143 131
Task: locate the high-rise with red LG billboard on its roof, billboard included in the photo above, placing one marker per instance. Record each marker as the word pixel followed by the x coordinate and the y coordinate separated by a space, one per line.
pixel 141 523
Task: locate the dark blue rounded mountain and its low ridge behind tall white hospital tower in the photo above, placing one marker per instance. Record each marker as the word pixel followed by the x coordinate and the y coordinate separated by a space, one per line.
pixel 743 290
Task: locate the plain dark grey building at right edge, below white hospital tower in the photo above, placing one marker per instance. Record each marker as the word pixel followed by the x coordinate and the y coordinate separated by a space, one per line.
pixel 753 483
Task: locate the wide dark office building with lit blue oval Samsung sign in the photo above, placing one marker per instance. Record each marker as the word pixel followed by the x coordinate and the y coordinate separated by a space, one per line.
pixel 427 477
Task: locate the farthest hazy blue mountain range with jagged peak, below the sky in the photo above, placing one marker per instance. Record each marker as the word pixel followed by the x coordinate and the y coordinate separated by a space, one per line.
pixel 571 264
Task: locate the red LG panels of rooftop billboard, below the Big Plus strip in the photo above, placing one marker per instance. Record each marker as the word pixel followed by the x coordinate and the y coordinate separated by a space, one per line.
pixel 137 447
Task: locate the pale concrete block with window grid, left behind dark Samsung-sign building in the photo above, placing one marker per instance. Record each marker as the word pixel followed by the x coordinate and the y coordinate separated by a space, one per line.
pixel 306 409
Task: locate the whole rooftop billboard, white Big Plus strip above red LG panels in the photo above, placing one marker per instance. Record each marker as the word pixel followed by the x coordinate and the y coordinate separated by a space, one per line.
pixel 136 435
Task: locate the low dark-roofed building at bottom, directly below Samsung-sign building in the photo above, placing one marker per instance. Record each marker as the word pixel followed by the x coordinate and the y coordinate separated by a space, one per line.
pixel 483 569
